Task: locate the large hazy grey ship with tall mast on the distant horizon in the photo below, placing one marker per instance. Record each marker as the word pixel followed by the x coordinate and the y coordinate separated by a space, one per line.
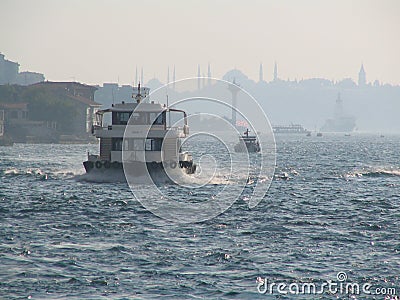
pixel 341 122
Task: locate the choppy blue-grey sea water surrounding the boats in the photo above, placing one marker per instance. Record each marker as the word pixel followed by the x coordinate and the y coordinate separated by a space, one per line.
pixel 333 206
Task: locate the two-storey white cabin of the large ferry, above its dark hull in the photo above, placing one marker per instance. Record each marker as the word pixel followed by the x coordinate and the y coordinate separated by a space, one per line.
pixel 148 137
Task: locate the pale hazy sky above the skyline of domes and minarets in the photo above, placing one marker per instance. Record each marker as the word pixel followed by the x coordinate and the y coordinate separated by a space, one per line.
pixel 95 41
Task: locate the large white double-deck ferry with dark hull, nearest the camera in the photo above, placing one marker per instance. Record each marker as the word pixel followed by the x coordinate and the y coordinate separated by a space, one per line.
pixel 139 138
